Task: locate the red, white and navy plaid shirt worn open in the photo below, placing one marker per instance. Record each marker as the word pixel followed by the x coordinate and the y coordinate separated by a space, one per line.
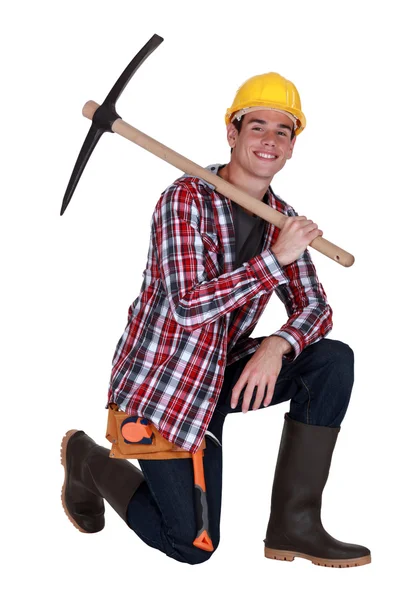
pixel 194 314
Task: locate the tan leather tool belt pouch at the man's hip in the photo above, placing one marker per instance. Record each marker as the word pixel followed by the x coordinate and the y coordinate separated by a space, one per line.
pixel 136 437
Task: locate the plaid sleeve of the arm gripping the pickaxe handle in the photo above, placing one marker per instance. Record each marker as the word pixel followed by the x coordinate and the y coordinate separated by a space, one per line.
pixel 194 300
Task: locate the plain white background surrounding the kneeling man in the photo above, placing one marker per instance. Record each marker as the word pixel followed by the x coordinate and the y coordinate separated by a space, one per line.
pixel 68 281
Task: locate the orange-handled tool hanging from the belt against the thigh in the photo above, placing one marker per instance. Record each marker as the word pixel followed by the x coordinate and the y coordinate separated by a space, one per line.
pixel 203 539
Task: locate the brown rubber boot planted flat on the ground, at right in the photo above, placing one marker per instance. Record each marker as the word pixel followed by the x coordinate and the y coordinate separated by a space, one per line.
pixel 295 527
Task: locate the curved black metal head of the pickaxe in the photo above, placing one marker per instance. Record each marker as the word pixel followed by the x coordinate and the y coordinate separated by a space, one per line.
pixel 105 116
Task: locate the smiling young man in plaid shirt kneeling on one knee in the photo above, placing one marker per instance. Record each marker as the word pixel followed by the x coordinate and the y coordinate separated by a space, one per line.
pixel 186 358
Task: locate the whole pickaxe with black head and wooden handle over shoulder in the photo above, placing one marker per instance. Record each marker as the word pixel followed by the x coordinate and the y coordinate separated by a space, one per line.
pixel 105 118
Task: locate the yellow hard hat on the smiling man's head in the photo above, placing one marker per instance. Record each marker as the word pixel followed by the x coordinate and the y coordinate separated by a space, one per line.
pixel 269 90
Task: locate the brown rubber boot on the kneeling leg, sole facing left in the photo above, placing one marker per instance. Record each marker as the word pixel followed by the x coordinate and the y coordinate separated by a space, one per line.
pixel 90 476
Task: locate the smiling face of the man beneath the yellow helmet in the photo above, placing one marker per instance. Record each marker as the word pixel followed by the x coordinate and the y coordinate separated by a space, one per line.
pixel 264 143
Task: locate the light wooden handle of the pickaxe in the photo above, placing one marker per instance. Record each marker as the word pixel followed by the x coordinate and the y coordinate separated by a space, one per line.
pixel 224 187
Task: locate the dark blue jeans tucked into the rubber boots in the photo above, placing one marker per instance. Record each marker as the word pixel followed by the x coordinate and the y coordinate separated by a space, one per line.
pixel 162 511
